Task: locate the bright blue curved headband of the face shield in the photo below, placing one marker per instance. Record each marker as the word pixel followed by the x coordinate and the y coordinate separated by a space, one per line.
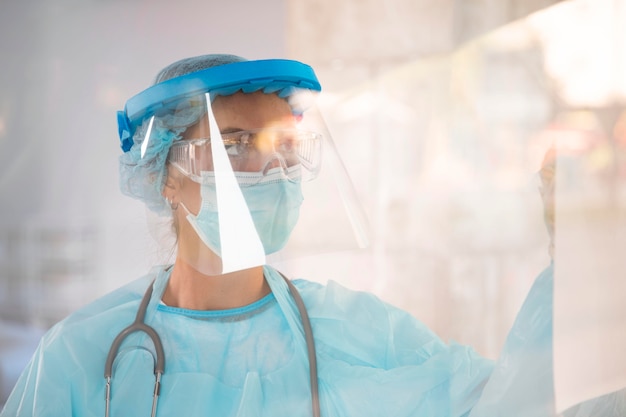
pixel 279 76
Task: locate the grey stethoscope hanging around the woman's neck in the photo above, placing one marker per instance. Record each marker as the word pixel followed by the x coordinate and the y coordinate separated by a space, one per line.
pixel 139 325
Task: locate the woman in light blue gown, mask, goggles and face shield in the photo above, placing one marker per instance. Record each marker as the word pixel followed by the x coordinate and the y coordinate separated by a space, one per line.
pixel 225 146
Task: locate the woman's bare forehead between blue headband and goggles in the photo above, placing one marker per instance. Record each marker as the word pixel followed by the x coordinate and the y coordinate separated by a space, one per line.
pixel 251 111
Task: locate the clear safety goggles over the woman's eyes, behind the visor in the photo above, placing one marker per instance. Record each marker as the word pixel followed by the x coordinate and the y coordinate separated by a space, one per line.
pixel 256 151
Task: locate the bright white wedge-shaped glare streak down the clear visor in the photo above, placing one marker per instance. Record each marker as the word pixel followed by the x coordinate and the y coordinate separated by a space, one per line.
pixel 239 240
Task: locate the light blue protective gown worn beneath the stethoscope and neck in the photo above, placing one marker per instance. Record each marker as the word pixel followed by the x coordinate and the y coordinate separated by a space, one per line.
pixel 373 359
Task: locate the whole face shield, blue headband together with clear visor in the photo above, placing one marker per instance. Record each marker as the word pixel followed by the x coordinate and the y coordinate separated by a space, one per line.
pixel 248 166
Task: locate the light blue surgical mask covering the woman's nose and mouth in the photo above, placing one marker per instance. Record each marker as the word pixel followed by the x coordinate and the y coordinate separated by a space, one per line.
pixel 274 203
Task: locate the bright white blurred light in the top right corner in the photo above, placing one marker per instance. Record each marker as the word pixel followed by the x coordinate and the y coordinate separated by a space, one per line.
pixel 584 50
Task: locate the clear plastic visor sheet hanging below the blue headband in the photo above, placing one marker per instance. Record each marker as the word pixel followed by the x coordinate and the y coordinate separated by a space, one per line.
pixel 252 179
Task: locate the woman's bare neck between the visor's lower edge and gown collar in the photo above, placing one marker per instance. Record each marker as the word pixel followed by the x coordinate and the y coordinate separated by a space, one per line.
pixel 190 289
